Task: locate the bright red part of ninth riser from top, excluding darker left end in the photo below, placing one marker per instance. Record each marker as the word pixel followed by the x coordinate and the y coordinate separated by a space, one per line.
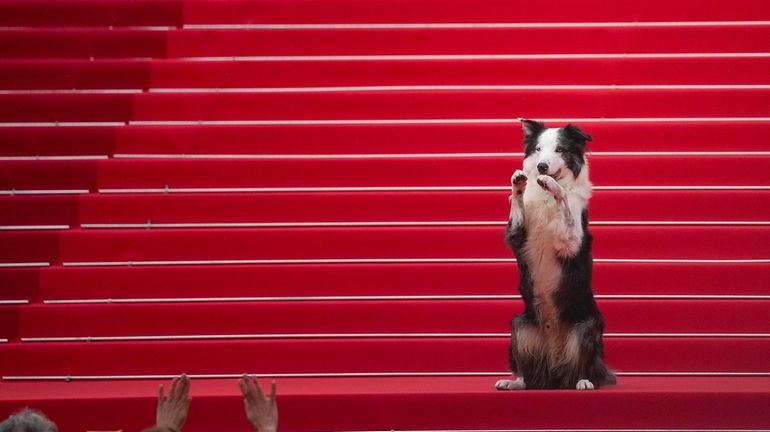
pixel 58 283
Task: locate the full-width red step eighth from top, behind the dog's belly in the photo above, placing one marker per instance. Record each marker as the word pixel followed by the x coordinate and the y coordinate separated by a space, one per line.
pixel 341 244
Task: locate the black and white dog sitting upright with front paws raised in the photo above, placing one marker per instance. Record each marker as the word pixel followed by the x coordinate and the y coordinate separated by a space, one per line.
pixel 557 342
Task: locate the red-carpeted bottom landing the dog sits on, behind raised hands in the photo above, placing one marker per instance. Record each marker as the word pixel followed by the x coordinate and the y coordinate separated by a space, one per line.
pixel 464 403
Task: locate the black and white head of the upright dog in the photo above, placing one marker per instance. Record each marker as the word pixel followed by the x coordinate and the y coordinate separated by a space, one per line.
pixel 556 152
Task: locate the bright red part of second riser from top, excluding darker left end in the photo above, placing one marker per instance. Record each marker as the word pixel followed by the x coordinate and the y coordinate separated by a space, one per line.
pixel 189 43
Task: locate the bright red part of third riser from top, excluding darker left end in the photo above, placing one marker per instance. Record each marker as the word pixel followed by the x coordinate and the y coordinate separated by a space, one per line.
pixel 298 73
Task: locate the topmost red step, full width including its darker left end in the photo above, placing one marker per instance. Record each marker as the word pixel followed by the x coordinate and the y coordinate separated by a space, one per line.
pixel 175 12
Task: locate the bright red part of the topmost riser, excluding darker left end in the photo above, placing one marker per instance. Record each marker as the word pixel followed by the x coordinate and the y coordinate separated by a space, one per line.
pixel 442 11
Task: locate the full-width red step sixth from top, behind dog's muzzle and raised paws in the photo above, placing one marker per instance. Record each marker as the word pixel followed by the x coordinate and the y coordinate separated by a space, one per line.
pixel 481 172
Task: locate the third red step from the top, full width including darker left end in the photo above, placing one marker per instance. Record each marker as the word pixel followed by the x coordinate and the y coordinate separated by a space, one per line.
pixel 163 74
